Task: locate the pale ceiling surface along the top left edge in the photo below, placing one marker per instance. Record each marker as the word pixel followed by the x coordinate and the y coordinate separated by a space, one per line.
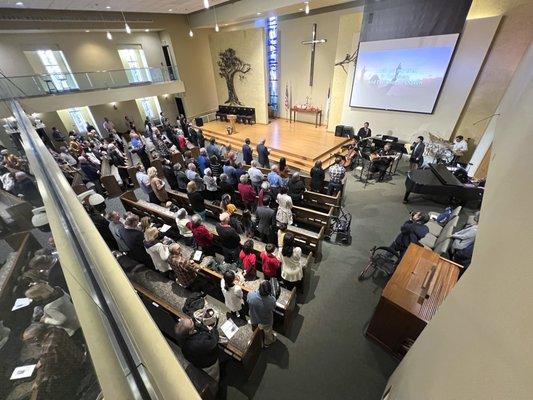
pixel 151 6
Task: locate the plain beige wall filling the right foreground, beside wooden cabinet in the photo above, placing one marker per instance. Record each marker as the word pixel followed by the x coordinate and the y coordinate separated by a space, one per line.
pixel 480 344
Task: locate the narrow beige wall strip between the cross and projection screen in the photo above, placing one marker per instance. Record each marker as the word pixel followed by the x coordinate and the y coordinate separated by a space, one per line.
pixel 348 39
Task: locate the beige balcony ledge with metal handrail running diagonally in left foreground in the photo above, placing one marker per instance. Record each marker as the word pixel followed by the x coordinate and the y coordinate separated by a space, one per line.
pixel 130 355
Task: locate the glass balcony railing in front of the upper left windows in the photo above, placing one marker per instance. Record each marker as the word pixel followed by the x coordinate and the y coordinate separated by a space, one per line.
pixel 62 83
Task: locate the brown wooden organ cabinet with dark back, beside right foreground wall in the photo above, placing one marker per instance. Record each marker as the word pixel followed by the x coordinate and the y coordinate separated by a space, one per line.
pixel 412 296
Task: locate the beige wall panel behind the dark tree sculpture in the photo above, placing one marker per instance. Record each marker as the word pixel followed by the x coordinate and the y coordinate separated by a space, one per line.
pixel 249 46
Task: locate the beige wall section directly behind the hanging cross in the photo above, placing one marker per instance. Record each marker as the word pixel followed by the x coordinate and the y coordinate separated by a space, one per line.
pixel 295 59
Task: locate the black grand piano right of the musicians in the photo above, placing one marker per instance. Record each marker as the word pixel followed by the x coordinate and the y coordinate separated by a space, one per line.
pixel 441 183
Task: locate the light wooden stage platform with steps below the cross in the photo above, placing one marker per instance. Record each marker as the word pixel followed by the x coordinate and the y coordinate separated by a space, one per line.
pixel 300 143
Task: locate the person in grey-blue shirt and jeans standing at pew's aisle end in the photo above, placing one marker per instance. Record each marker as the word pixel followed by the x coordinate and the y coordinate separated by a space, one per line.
pixel 262 304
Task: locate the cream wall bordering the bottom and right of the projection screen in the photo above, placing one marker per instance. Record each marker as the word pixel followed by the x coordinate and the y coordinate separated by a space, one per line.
pixel 469 55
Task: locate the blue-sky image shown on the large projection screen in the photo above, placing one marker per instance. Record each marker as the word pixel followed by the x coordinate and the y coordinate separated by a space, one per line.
pixel 402 74
